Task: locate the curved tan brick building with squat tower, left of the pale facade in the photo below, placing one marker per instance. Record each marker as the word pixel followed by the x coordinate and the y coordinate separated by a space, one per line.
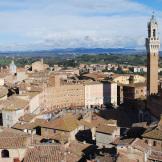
pixel 61 94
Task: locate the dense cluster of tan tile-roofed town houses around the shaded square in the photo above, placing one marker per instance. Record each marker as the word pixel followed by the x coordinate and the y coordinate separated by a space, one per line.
pixel 51 114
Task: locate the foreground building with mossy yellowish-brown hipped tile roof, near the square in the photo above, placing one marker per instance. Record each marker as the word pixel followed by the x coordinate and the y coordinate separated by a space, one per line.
pixel 66 126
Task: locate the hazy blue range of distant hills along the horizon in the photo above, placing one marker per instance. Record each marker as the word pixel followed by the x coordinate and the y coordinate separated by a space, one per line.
pixel 75 51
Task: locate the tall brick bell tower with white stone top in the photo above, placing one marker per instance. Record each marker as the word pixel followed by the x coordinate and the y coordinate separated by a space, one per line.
pixel 152 47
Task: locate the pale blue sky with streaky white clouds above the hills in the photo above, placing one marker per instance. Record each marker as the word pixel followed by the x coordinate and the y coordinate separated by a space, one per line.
pixel 49 24
